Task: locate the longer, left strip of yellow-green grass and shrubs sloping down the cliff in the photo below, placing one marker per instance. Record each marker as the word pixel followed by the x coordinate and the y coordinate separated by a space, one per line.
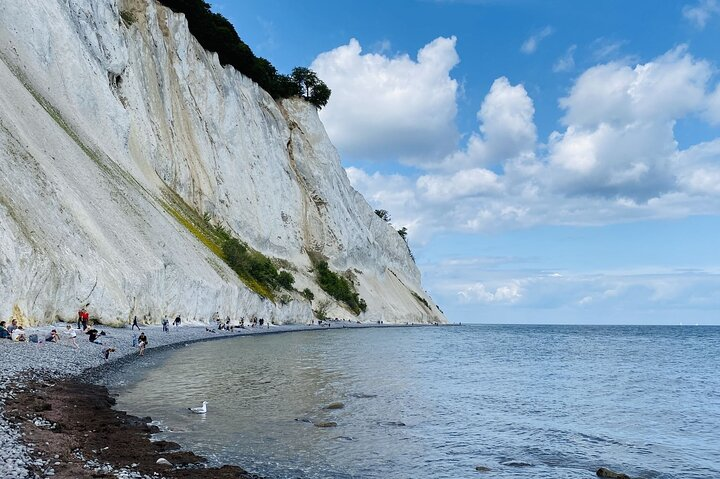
pixel 256 270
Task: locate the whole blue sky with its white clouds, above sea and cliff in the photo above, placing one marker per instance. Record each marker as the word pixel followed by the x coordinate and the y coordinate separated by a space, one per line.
pixel 553 161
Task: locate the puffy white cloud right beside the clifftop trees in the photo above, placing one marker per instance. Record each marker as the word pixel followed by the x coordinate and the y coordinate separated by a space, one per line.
pixel 391 107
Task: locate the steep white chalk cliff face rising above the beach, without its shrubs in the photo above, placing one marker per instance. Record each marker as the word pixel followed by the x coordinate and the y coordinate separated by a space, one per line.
pixel 110 131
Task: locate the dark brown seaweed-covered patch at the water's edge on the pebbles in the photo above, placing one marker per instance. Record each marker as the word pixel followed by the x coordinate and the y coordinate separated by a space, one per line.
pixel 75 433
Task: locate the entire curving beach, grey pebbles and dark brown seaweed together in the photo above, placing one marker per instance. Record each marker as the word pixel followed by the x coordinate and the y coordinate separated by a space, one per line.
pixel 35 375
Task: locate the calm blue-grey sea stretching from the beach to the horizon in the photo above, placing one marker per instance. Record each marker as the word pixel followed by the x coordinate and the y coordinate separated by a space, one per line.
pixel 435 402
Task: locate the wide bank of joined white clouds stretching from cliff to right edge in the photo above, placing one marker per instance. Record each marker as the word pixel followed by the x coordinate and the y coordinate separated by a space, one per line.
pixel 616 158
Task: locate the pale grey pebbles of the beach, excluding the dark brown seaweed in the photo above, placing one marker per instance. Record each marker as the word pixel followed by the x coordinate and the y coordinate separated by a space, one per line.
pixel 26 363
